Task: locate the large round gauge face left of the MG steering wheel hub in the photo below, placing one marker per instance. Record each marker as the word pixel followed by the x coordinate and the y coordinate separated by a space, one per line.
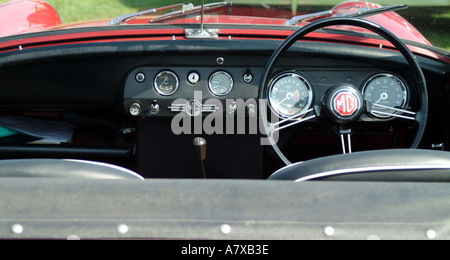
pixel 290 94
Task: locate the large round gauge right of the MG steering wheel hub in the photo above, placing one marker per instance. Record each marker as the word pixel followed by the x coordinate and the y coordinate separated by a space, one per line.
pixel 386 90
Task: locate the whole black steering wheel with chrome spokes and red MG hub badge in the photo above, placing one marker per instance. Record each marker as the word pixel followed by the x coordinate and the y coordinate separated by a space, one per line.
pixel 326 109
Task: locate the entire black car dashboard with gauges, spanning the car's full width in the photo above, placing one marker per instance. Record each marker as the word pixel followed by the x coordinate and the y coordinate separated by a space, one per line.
pixel 123 98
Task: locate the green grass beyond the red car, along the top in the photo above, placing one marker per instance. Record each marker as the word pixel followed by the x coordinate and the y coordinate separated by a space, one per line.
pixel 431 17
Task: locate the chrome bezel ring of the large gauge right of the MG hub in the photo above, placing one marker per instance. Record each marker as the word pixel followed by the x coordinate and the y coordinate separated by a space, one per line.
pixel 401 82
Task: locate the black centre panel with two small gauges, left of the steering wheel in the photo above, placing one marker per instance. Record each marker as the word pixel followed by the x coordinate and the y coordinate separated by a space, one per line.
pixel 143 92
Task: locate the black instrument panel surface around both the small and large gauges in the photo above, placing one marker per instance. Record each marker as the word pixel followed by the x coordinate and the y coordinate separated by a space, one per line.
pixel 142 99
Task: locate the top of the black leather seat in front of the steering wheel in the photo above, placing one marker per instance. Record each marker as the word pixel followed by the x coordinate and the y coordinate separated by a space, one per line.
pixel 379 165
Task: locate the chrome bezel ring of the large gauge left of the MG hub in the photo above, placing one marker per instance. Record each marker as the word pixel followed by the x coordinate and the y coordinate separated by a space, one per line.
pixel 309 88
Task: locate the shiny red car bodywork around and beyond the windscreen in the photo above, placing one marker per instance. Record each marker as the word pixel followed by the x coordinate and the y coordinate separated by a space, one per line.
pixel 25 16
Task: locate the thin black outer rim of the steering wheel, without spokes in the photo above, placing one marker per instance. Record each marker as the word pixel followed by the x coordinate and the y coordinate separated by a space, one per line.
pixel 421 115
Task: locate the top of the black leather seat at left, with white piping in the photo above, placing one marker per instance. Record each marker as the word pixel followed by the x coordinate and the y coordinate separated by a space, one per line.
pixel 56 168
